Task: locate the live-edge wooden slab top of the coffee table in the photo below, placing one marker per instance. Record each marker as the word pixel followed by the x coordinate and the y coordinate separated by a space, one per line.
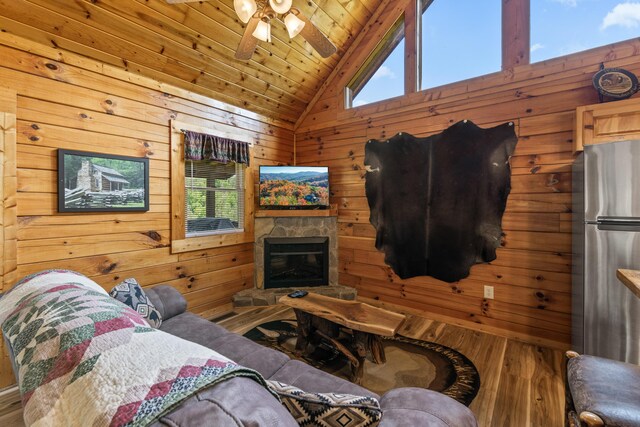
pixel 352 314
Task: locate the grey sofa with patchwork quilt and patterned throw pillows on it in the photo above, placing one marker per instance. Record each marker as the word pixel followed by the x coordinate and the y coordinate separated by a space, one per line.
pixel 137 357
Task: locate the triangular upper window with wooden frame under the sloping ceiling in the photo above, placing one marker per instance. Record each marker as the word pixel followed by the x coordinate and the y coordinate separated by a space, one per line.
pixel 382 75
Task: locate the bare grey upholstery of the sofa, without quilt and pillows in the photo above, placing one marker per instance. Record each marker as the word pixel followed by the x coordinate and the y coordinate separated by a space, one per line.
pixel 242 402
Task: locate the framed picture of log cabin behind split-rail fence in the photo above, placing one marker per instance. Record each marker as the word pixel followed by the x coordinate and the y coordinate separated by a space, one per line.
pixel 94 182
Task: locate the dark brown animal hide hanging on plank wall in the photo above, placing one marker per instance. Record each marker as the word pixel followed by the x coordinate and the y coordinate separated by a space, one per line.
pixel 437 202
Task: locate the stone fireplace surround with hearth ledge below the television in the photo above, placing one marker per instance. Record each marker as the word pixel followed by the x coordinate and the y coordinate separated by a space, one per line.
pixel 294 229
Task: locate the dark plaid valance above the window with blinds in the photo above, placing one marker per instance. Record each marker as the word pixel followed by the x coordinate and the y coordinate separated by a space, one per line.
pixel 201 146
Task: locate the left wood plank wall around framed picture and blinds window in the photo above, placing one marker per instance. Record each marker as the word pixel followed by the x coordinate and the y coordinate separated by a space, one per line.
pixel 66 101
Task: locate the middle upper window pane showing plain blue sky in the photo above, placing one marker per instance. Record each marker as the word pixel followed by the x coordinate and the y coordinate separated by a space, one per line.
pixel 461 39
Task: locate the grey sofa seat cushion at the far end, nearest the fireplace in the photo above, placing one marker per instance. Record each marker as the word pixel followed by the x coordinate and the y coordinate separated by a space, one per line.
pixel 241 350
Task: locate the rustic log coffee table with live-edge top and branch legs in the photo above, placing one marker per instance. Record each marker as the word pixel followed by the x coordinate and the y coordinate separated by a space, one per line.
pixel 322 316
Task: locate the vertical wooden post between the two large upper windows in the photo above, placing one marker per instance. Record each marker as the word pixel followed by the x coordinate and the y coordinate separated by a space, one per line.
pixel 515 33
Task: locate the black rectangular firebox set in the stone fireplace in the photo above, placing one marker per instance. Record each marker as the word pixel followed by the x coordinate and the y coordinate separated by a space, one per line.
pixel 296 262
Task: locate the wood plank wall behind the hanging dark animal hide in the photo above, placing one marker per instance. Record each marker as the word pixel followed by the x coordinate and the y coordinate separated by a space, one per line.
pixel 531 274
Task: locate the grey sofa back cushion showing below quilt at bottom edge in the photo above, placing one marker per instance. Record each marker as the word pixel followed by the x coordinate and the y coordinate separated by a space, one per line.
pixel 236 402
